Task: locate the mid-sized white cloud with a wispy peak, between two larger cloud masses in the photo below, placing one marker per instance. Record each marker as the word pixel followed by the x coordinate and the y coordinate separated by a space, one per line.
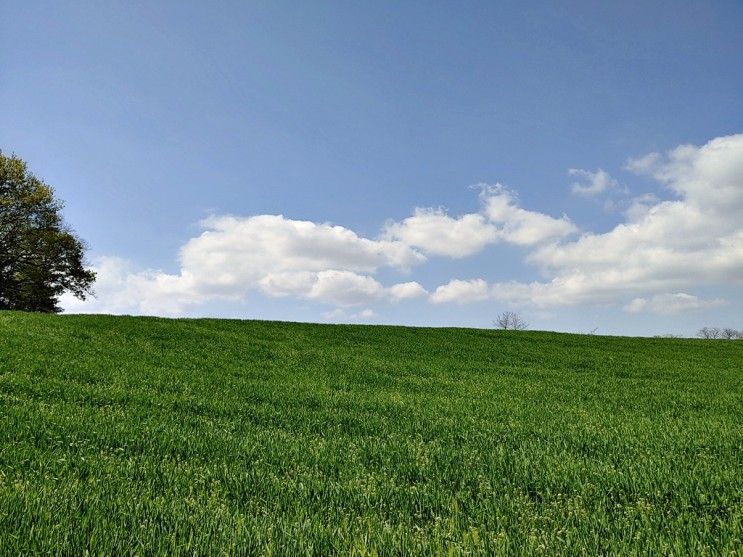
pixel 499 220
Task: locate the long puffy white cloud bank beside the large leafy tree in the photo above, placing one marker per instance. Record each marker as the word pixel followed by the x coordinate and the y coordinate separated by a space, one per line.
pixel 268 253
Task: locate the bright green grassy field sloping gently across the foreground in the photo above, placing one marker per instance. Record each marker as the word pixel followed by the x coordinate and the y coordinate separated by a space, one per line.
pixel 123 435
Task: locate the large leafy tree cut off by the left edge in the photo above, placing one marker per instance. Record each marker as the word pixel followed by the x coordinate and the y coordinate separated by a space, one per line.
pixel 40 256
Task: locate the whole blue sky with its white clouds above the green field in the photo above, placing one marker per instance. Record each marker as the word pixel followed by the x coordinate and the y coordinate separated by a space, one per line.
pixel 417 163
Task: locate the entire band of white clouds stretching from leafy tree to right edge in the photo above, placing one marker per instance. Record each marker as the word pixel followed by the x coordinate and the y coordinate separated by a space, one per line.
pixel 646 263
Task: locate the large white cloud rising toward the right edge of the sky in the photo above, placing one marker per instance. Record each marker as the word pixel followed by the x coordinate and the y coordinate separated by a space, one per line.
pixel 693 240
